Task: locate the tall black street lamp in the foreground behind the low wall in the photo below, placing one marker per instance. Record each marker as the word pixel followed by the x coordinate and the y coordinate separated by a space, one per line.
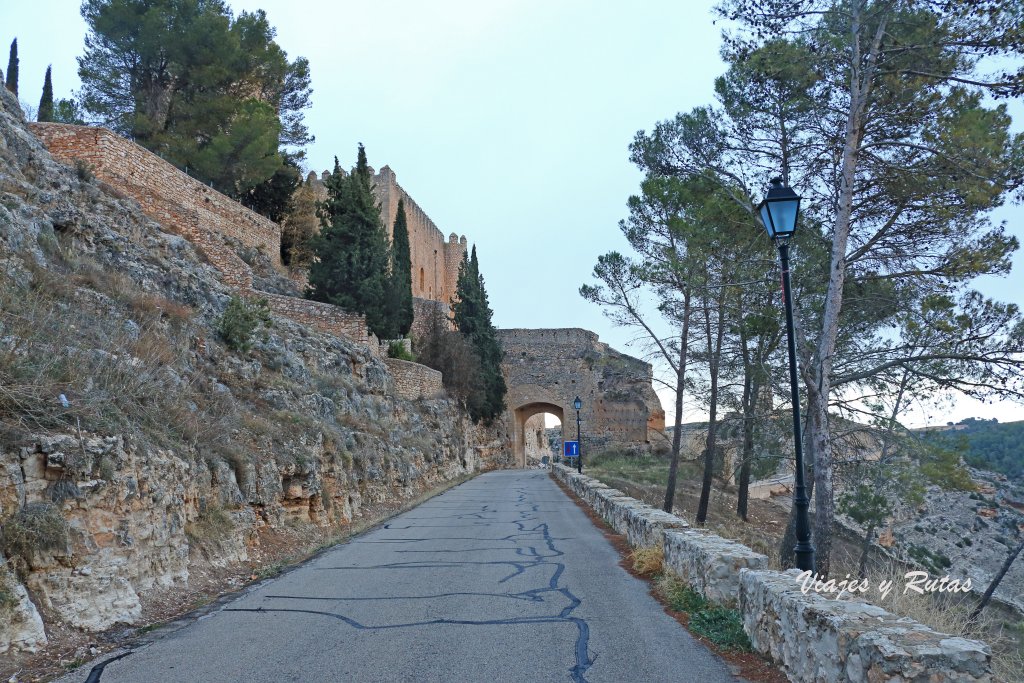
pixel 779 214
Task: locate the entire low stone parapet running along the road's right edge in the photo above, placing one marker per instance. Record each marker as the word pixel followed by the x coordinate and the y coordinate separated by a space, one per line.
pixel 815 638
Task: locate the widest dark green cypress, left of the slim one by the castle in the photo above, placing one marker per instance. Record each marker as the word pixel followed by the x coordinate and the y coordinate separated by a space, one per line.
pixel 352 266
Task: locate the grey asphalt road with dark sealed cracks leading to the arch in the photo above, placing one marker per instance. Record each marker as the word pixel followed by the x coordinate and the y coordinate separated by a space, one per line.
pixel 501 579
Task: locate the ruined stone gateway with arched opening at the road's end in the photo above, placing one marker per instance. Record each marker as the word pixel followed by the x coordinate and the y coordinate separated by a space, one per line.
pixel 546 370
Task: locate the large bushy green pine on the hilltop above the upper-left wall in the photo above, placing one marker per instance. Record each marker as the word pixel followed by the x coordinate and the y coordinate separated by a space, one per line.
pixel 209 92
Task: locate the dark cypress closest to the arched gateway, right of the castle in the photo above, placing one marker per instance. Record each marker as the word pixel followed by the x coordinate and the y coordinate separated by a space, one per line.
pixel 474 318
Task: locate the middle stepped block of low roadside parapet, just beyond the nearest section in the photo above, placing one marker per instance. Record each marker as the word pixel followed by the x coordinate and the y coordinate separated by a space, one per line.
pixel 710 565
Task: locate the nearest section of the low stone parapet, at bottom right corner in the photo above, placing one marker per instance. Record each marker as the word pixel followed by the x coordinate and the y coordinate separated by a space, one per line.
pixel 821 639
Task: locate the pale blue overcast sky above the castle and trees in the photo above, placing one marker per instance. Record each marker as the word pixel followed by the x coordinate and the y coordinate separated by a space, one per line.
pixel 508 121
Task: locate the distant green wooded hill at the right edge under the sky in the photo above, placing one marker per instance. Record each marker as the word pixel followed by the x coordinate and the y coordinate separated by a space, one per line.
pixel 988 445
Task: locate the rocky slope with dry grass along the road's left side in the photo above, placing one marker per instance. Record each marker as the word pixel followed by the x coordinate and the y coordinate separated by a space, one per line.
pixel 136 447
